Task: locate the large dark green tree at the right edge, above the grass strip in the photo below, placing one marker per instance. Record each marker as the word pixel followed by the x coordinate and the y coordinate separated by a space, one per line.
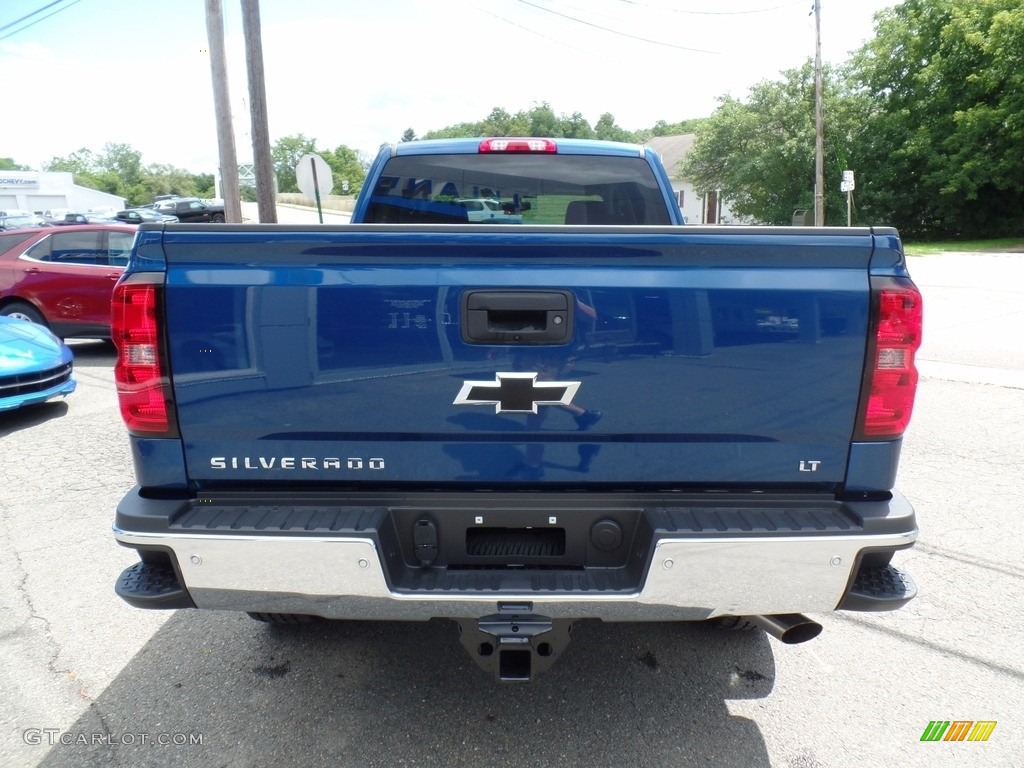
pixel 945 87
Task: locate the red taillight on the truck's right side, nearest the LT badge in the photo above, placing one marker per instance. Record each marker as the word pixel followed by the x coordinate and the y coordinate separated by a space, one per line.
pixel 891 379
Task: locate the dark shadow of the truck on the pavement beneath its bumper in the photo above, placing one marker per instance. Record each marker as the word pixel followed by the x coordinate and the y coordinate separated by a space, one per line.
pixel 220 690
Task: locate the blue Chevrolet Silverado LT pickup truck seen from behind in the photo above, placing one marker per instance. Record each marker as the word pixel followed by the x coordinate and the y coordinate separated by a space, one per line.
pixel 598 413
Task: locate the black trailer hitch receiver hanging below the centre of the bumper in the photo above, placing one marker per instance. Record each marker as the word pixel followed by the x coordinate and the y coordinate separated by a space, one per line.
pixel 516 645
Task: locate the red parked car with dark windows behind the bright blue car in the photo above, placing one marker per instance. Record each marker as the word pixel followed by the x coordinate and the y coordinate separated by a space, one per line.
pixel 63 277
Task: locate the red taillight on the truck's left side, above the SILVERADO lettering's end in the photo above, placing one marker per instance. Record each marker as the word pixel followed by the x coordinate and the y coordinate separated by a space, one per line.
pixel 144 390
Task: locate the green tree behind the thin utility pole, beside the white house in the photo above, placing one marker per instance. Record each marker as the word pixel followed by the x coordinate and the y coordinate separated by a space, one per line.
pixel 760 153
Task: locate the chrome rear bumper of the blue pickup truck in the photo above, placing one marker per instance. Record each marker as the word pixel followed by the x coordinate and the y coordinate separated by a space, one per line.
pixel 679 575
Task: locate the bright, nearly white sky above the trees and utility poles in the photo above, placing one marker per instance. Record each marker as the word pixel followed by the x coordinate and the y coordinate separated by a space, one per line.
pixel 84 73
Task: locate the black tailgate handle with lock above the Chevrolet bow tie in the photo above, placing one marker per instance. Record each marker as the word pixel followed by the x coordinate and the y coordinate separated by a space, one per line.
pixel 518 317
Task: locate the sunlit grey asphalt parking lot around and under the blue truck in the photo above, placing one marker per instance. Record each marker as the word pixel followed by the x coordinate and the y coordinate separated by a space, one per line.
pixel 88 680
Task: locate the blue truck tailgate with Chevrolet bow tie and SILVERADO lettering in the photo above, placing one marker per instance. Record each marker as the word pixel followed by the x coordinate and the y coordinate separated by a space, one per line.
pixel 687 358
